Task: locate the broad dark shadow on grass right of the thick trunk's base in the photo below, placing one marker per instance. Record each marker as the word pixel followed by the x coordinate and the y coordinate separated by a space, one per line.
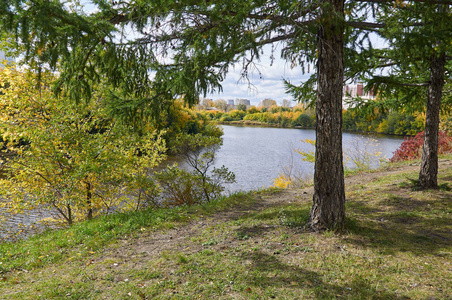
pixel 408 225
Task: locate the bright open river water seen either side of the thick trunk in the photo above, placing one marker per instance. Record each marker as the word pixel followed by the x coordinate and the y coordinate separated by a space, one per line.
pixel 257 155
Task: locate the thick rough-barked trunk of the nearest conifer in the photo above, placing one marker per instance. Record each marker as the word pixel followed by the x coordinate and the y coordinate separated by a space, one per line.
pixel 328 209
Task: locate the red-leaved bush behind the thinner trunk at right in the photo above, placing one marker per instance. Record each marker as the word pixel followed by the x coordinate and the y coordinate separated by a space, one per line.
pixel 411 148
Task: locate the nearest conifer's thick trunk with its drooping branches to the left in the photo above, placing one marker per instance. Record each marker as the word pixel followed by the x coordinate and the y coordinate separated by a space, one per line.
pixel 185 48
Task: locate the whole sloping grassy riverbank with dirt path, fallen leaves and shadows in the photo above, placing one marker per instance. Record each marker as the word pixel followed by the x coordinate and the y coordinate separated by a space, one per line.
pixel 398 245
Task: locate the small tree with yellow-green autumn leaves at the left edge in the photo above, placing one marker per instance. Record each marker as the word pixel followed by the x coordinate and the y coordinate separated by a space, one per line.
pixel 70 157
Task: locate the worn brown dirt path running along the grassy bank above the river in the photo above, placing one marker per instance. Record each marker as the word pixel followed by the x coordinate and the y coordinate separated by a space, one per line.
pixel 151 245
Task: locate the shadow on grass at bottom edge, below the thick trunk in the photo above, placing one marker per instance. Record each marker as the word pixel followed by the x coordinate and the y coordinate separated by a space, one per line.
pixel 268 271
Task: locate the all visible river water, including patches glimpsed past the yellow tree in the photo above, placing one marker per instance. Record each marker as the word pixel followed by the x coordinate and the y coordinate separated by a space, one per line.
pixel 256 155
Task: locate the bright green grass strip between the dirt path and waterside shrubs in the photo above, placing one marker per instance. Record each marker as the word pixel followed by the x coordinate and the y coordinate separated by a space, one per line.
pixel 85 238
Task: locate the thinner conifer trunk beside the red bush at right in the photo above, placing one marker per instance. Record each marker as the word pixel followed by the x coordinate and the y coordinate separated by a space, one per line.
pixel 429 165
